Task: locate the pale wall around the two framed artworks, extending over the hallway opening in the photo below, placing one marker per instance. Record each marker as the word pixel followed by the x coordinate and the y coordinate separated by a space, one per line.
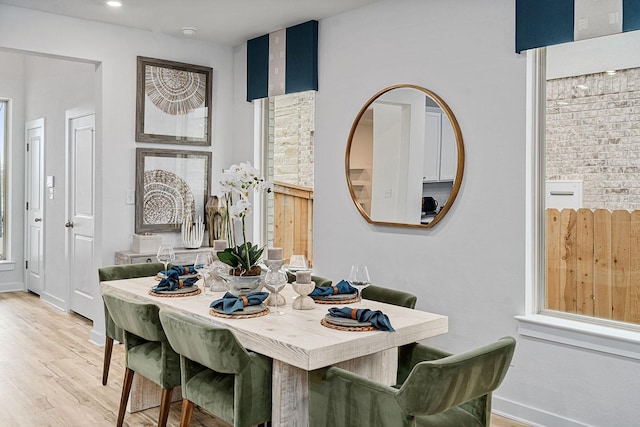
pixel 115 49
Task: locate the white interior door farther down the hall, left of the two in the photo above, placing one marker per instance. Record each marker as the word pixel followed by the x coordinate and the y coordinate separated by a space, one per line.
pixel 34 173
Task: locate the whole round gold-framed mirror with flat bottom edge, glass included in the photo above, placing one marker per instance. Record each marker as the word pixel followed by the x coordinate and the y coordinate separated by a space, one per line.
pixel 405 158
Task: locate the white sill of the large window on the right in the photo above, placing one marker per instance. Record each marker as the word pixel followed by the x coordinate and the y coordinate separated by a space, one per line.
pixel 604 339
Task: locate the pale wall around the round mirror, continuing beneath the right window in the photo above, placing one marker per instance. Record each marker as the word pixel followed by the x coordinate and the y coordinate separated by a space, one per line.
pixel 471 265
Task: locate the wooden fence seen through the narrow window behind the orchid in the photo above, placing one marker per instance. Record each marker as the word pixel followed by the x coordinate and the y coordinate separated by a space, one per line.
pixel 293 220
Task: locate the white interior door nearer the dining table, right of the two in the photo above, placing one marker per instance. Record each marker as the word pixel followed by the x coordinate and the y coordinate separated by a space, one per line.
pixel 81 207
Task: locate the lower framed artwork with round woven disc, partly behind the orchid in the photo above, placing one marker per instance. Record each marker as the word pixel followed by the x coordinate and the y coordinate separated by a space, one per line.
pixel 170 184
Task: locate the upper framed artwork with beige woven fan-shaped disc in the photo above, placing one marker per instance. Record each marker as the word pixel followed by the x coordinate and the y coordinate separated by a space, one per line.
pixel 173 102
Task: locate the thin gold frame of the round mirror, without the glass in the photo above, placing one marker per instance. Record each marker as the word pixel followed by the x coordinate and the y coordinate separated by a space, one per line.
pixel 459 147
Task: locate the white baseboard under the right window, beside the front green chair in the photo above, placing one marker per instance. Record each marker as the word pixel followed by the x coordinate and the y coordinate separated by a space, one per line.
pixel 529 415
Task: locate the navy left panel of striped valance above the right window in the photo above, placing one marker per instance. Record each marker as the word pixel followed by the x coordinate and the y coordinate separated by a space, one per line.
pixel 543 23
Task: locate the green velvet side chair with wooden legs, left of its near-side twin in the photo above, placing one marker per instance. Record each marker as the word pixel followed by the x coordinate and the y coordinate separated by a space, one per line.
pixel 147 350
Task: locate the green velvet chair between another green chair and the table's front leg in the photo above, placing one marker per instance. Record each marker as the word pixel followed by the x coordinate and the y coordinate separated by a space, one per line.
pixel 218 373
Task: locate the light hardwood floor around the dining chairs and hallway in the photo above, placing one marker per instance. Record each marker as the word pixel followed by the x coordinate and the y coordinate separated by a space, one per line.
pixel 50 375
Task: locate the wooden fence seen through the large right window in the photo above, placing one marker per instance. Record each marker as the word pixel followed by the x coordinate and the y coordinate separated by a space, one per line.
pixel 593 263
